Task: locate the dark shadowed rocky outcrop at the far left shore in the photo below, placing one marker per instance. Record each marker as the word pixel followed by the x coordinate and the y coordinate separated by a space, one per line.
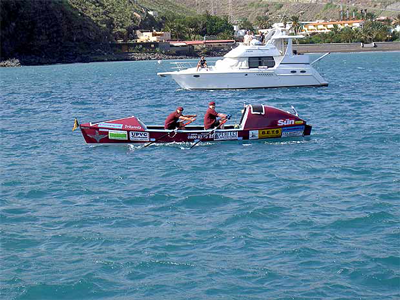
pixel 43 32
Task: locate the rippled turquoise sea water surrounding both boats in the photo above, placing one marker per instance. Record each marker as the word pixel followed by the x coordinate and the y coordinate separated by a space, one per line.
pixel 314 218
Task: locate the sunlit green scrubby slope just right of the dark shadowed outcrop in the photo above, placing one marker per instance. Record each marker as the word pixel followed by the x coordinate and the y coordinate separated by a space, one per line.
pixel 122 17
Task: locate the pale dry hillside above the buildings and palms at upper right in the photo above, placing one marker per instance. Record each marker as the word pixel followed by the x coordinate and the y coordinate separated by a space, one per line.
pixel 307 10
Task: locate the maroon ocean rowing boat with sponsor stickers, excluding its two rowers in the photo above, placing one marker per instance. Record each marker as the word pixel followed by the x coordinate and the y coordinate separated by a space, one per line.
pixel 257 122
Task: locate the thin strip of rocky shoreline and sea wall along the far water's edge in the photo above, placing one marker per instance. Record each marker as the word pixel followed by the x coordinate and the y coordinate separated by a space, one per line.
pixel 300 48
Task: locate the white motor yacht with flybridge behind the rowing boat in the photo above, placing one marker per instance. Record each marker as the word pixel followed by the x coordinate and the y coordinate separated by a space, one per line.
pixel 273 64
